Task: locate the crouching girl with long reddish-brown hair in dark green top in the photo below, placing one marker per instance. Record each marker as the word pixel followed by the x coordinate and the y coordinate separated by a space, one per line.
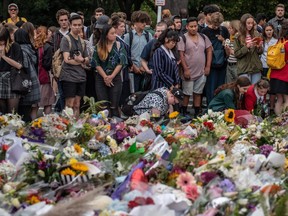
pixel 230 96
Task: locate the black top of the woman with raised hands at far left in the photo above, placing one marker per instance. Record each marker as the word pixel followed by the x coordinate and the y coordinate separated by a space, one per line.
pixel 14 53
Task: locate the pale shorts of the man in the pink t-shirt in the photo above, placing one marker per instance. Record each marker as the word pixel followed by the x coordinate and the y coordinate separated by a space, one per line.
pixel 194 86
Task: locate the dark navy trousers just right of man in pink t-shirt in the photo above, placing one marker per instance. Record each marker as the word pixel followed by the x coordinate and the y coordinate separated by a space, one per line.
pixel 214 80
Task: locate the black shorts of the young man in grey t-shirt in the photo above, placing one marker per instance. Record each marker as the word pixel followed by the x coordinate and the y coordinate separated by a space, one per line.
pixel 71 89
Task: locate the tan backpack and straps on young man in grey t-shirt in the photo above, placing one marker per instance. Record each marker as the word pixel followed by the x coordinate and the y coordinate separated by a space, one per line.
pixel 57 60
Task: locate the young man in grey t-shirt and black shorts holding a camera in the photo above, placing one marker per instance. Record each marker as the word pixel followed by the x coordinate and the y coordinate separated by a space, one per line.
pixel 73 76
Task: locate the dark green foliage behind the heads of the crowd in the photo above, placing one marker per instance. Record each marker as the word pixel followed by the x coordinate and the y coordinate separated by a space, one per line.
pixel 43 12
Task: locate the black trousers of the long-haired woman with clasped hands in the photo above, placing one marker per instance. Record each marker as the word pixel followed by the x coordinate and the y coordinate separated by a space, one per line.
pixel 111 94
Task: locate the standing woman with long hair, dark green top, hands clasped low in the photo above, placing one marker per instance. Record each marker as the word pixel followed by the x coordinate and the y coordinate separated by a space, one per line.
pixel 109 58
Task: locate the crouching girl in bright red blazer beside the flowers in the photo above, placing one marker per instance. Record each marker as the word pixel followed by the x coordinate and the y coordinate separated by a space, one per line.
pixel 256 94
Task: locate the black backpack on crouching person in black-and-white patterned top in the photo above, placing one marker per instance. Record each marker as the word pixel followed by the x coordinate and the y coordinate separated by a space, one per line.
pixel 133 100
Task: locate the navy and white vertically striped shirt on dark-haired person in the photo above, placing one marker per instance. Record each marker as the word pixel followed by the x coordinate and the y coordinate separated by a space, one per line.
pixel 166 71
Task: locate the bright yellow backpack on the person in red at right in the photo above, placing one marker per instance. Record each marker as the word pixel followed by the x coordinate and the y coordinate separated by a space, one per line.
pixel 276 55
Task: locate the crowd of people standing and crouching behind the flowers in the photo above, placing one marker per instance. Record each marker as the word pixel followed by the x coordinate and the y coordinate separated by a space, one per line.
pixel 184 57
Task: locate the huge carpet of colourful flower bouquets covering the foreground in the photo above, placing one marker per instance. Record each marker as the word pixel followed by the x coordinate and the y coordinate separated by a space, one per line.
pixel 222 163
